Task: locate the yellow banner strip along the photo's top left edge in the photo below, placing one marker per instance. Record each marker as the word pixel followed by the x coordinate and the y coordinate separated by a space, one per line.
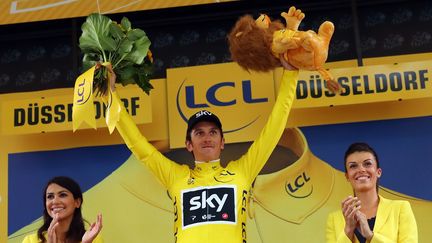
pixel 21 11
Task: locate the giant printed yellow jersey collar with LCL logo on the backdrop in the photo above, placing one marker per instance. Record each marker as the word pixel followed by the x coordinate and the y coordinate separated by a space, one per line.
pixel 298 190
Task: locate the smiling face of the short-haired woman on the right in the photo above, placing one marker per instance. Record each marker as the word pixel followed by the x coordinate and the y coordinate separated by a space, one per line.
pixel 362 171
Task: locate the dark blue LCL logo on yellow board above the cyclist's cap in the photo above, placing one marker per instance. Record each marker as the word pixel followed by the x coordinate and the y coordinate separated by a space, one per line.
pixel 212 99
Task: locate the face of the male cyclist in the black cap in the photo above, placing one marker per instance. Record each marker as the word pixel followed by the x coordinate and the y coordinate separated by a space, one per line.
pixel 206 141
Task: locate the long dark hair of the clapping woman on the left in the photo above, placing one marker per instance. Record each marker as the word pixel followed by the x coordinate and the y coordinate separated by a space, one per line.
pixel 76 228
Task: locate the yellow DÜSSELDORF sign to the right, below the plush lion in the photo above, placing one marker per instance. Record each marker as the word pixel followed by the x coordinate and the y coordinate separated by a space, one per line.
pixel 368 84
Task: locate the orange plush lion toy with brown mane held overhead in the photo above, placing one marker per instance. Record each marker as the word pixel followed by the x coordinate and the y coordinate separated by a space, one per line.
pixel 258 44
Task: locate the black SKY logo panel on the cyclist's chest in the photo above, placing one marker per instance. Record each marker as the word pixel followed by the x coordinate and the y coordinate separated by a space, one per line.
pixel 209 205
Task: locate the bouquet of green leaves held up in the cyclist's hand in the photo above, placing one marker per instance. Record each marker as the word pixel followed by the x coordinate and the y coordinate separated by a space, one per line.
pixel 104 41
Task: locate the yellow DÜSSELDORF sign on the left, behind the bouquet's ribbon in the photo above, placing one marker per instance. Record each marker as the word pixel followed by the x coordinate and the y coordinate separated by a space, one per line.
pixel 49 111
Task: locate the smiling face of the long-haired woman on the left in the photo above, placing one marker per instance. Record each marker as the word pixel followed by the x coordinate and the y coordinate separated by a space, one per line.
pixel 60 200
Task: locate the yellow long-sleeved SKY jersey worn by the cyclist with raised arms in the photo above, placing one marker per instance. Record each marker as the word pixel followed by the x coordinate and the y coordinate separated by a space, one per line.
pixel 210 201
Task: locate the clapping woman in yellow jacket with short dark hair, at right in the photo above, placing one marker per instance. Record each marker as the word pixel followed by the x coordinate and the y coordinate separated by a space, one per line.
pixel 368 216
